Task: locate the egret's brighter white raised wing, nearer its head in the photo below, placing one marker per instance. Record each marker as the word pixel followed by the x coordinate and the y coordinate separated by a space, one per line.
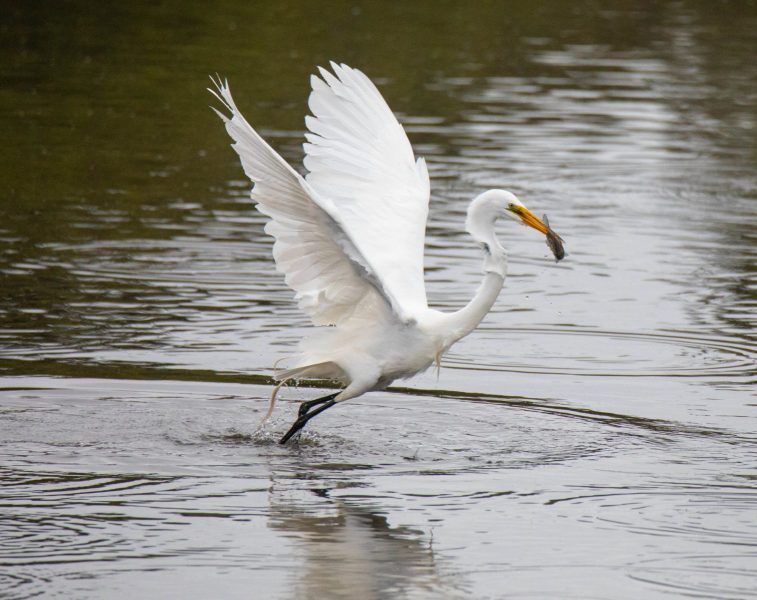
pixel 358 156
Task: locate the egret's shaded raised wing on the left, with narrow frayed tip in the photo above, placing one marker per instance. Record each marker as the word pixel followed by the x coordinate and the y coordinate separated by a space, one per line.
pixel 317 257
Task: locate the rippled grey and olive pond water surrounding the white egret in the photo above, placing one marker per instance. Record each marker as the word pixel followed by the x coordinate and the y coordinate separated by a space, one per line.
pixel 594 438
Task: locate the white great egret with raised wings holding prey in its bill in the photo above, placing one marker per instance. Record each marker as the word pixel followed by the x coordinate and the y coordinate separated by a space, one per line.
pixel 349 239
